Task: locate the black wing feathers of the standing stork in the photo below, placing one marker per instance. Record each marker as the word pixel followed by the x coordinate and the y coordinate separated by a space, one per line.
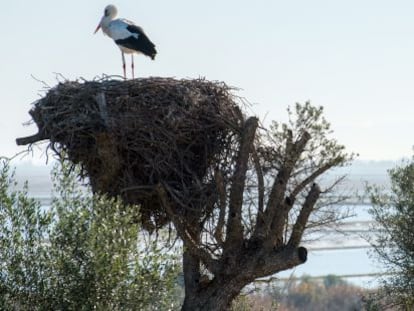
pixel 141 44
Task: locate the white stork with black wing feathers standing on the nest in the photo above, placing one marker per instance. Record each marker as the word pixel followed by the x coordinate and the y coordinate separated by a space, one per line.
pixel 129 37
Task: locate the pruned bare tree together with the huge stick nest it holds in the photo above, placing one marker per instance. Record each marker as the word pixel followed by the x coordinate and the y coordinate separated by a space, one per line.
pixel 241 210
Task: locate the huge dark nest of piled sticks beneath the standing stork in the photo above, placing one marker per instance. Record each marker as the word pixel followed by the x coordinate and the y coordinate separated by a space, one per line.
pixel 129 136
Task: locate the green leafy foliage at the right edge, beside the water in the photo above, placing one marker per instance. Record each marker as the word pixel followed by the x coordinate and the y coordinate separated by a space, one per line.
pixel 394 244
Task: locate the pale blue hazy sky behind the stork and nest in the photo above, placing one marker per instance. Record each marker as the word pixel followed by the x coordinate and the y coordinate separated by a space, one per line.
pixel 355 58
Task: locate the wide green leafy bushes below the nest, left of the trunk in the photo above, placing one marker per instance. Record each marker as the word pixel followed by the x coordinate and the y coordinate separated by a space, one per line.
pixel 84 252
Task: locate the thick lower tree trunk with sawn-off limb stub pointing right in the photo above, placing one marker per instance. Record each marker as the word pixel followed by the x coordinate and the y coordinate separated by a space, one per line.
pixel 217 294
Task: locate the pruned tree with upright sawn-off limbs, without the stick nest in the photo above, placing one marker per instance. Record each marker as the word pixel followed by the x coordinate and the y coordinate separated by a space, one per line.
pixel 264 198
